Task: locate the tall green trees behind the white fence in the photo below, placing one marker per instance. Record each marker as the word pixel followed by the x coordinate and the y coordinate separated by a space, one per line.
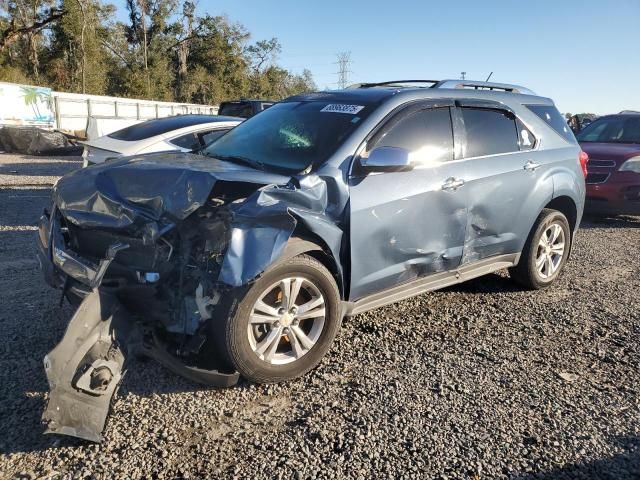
pixel 165 51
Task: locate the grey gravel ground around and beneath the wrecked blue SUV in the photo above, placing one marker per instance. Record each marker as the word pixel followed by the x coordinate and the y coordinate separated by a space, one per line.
pixel 478 381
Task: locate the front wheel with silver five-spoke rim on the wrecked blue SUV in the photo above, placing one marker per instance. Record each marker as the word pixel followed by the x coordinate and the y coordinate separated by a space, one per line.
pixel 239 341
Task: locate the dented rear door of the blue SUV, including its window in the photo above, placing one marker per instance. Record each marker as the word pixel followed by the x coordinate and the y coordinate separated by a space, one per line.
pixel 502 173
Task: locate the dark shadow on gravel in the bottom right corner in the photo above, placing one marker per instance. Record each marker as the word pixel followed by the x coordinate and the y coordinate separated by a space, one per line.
pixel 625 466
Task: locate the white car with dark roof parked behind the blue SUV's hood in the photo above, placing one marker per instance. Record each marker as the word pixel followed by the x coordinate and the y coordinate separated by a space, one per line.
pixel 183 133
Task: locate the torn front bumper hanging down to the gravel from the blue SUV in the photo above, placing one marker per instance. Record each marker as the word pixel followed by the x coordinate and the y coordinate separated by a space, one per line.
pixel 86 367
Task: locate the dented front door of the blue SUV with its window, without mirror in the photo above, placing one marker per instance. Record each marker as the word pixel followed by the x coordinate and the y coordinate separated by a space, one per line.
pixel 407 224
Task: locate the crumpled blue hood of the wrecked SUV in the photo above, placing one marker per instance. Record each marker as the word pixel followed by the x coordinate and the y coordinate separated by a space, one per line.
pixel 134 191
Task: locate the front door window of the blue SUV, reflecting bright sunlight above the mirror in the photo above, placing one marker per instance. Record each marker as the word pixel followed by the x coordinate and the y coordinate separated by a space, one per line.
pixel 427 134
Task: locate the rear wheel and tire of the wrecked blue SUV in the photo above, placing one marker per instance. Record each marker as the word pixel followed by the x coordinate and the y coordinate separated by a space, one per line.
pixel 529 272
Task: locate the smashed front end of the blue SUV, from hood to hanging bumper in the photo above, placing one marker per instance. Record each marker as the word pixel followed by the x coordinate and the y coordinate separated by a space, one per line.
pixel 150 260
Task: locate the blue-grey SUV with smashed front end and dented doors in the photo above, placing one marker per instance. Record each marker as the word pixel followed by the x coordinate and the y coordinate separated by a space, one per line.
pixel 243 260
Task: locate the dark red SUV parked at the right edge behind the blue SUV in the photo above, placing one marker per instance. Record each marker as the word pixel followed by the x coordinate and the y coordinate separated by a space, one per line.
pixel 613 182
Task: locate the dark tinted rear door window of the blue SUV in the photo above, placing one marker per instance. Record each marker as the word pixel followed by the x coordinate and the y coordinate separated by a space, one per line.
pixel 489 132
